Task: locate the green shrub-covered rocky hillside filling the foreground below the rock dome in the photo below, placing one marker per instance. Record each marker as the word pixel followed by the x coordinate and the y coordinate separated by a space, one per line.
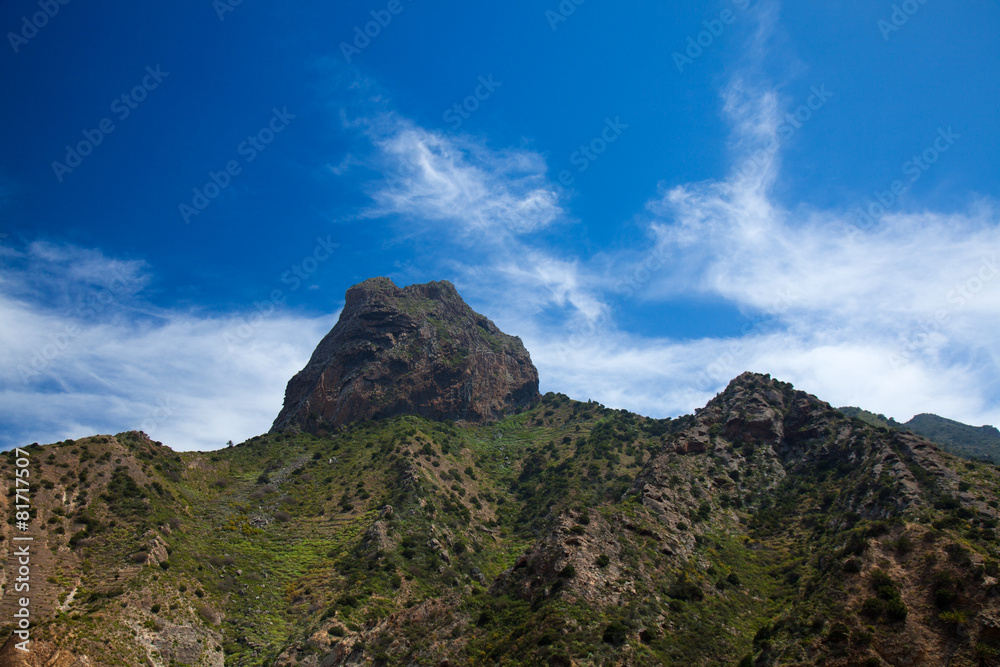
pixel 766 529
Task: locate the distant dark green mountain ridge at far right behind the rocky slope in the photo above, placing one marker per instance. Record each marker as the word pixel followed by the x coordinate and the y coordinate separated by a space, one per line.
pixel 971 442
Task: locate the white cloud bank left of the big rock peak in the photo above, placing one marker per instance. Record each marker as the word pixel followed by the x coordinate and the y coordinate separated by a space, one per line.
pixel 105 361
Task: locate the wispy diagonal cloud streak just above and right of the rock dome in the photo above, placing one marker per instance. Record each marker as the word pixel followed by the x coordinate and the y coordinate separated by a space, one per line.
pixel 482 206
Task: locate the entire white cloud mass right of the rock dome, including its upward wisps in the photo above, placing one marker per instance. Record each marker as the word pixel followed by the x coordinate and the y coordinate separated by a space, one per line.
pixel 843 313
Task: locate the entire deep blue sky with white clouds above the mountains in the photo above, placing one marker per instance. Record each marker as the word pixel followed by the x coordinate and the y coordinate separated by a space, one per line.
pixel 654 198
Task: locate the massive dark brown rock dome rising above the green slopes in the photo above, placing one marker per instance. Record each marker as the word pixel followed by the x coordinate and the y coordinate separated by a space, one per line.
pixel 416 350
